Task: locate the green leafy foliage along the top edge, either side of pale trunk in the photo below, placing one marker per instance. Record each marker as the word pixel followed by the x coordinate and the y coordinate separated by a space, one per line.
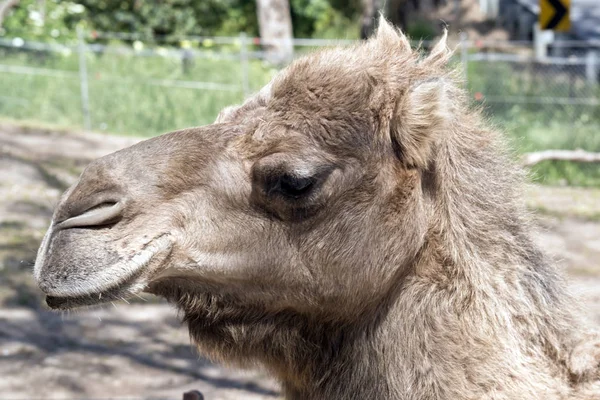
pixel 54 19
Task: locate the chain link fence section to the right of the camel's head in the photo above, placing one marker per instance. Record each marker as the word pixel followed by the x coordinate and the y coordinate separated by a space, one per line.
pixel 512 73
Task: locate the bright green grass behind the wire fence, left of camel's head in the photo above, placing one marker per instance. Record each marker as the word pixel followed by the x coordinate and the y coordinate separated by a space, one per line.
pixel 120 101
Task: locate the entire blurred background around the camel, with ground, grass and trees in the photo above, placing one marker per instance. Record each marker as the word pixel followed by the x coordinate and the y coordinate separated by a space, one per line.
pixel 80 79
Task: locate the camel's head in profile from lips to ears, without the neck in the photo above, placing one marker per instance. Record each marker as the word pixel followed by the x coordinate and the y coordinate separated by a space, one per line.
pixel 313 188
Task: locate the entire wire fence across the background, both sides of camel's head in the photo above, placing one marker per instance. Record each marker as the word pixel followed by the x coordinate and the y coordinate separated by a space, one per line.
pixel 146 88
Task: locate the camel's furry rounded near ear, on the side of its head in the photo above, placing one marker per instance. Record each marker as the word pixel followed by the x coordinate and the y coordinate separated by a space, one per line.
pixel 421 116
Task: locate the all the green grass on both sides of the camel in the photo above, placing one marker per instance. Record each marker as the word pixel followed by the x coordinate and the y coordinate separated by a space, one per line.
pixel 122 103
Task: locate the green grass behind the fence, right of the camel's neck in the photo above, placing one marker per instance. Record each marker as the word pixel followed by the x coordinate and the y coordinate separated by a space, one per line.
pixel 535 127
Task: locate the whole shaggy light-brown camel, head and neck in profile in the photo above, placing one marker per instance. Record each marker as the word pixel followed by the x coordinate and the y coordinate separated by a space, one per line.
pixel 355 228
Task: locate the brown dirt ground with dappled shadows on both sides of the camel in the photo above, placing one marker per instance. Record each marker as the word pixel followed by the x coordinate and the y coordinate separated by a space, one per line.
pixel 140 350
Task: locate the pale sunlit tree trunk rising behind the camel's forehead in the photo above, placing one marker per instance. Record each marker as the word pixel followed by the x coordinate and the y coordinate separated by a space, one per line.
pixel 275 25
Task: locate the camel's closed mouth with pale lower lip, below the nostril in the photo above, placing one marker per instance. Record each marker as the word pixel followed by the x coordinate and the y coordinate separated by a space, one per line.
pixel 133 282
